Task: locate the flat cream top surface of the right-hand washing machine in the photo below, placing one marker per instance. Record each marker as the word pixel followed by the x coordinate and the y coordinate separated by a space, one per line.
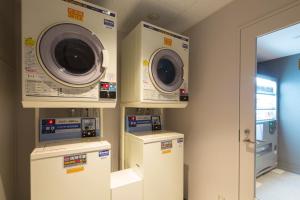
pixel 156 136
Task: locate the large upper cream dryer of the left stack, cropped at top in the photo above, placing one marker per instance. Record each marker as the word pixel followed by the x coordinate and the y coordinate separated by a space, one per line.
pixel 69 53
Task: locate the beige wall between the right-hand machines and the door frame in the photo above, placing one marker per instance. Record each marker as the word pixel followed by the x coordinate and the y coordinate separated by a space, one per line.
pixel 211 121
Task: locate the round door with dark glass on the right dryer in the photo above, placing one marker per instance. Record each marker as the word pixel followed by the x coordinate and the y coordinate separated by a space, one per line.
pixel 166 70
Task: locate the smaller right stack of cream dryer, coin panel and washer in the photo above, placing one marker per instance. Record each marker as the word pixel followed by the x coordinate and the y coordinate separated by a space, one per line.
pixel 154 75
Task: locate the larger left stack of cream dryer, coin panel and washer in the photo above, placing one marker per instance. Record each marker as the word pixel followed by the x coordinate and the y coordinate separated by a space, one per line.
pixel 69 59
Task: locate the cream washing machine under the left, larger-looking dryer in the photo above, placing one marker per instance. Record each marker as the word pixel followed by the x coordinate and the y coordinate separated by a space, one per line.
pixel 71 171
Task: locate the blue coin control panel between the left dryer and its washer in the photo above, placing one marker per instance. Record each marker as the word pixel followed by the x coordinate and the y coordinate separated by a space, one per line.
pixel 68 128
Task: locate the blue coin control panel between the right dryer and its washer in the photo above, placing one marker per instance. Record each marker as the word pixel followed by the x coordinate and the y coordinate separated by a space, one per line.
pixel 139 123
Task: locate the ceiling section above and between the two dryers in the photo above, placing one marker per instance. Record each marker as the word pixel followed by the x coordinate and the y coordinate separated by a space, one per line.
pixel 175 15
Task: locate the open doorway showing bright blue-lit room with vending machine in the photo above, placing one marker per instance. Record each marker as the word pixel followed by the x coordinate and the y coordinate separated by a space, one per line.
pixel 277 165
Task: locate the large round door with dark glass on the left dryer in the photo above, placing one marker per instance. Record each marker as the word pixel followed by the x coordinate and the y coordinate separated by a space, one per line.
pixel 72 55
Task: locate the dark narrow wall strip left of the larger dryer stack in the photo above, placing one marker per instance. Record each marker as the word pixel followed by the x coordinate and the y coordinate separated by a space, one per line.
pixel 7 102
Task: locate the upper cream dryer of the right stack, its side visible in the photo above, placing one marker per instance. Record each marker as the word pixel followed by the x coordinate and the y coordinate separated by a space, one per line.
pixel 155 64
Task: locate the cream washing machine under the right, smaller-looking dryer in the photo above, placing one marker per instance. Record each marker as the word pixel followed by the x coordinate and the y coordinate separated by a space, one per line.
pixel 158 158
